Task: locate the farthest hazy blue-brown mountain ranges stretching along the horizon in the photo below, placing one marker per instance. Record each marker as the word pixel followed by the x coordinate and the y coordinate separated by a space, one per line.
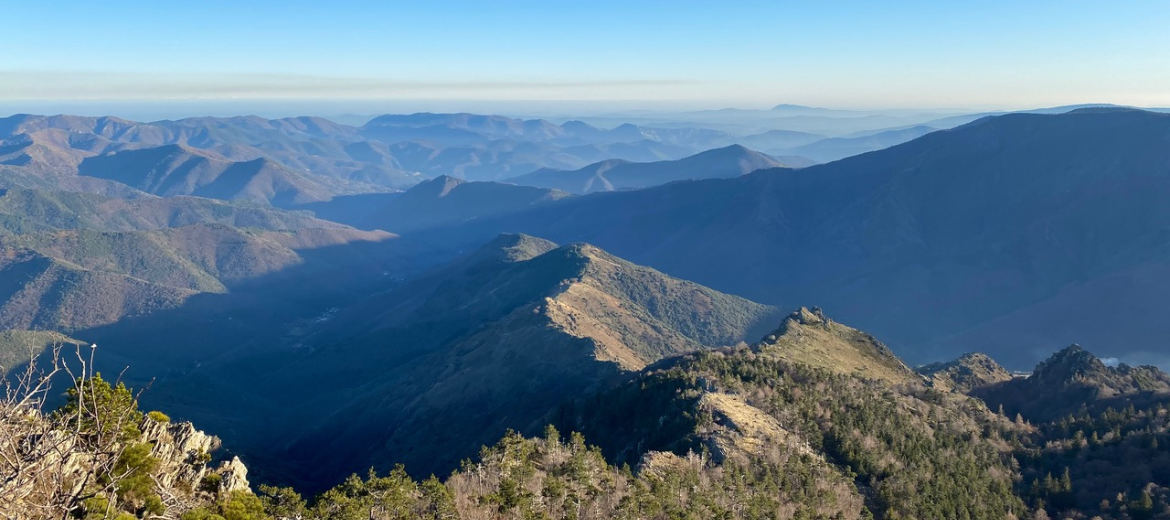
pixel 299 161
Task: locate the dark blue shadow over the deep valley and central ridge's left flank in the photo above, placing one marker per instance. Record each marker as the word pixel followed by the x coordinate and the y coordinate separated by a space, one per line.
pixel 306 403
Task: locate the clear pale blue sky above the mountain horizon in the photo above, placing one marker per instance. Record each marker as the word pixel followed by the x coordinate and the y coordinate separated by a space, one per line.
pixel 751 54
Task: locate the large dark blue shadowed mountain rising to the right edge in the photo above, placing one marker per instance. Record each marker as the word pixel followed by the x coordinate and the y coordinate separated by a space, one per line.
pixel 988 236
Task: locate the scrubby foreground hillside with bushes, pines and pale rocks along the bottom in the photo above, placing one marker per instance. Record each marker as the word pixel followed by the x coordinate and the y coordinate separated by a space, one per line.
pixel 734 434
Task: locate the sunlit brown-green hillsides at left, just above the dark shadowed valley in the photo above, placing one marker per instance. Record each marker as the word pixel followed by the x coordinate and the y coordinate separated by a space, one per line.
pixel 75 262
